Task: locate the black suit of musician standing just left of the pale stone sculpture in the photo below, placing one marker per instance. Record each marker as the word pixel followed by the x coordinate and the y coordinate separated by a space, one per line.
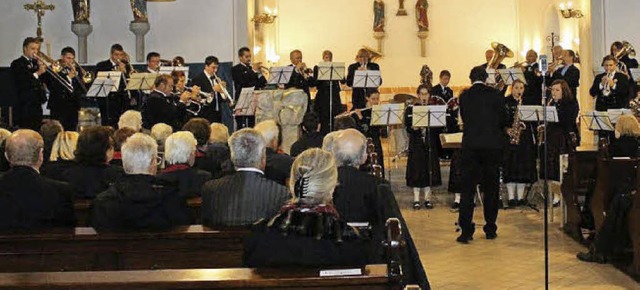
pixel 244 77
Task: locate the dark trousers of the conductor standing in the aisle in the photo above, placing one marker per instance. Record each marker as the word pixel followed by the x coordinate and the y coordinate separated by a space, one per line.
pixel 480 166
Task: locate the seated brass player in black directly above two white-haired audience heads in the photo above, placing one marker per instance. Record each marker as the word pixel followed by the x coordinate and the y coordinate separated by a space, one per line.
pixel 161 109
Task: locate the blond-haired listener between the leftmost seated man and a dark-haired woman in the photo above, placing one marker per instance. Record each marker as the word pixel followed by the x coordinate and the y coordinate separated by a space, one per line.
pixel 62 155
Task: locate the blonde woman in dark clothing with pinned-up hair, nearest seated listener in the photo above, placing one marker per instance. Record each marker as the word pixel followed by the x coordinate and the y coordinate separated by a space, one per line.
pixel 292 237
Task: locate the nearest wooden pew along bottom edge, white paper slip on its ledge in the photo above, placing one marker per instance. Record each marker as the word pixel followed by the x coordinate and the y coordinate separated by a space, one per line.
pixel 373 277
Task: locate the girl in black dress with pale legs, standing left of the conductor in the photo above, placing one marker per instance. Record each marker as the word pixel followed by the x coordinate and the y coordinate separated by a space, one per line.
pixel 423 164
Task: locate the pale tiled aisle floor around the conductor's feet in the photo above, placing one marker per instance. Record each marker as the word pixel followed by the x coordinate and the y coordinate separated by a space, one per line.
pixel 515 260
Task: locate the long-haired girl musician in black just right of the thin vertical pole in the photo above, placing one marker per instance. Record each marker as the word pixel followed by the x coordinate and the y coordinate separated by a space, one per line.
pixel 558 134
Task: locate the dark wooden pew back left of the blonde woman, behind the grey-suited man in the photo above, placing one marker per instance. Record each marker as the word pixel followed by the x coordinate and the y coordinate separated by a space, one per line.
pixel 82 249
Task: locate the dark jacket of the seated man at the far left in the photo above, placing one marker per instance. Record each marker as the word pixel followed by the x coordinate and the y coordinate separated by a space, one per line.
pixel 30 201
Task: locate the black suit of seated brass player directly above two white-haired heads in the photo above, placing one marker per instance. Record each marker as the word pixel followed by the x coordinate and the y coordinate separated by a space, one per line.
pixel 161 109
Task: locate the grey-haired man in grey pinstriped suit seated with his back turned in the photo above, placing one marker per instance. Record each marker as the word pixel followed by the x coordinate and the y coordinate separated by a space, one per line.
pixel 247 195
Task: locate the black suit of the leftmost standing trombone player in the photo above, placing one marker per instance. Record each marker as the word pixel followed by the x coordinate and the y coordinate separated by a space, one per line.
pixel 27 111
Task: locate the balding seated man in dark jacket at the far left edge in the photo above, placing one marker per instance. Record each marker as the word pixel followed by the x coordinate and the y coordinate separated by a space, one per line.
pixel 28 200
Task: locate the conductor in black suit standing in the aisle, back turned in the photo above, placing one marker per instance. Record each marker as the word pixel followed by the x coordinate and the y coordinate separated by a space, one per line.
pixel 483 114
